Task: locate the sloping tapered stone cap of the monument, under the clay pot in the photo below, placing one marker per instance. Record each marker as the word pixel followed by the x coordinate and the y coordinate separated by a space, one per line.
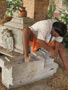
pixel 19 23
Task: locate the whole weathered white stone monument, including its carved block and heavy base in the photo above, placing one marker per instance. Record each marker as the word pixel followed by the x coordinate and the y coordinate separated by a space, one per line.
pixel 16 72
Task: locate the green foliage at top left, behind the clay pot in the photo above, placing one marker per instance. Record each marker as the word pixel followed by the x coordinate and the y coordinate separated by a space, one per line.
pixel 12 6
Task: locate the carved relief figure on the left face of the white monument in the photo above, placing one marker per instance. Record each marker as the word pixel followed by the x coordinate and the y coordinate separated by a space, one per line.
pixel 6 39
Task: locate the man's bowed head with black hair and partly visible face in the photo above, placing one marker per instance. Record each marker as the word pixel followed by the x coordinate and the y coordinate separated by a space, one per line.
pixel 59 29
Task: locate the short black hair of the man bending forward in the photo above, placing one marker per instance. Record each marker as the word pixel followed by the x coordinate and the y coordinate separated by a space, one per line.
pixel 60 28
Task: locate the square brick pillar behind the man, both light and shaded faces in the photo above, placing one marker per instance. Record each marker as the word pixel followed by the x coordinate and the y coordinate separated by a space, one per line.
pixel 36 9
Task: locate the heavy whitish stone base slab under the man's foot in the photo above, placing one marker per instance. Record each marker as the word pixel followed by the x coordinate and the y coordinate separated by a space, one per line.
pixel 15 72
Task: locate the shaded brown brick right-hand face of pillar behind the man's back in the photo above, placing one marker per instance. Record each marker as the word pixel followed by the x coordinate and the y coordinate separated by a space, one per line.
pixel 41 9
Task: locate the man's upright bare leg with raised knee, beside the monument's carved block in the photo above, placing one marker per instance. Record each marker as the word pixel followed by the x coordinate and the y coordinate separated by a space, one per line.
pixel 27 37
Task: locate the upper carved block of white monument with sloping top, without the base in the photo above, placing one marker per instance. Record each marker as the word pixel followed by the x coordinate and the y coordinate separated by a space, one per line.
pixel 11 33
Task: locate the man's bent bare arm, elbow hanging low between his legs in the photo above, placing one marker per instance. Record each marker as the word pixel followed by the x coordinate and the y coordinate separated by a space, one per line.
pixel 53 51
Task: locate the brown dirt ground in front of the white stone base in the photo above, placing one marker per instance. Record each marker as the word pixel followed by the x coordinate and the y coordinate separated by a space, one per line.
pixel 59 81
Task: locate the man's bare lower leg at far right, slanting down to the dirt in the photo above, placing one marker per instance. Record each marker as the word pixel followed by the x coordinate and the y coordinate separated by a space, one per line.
pixel 63 57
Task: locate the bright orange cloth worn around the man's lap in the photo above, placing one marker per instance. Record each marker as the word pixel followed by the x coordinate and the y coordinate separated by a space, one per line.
pixel 35 46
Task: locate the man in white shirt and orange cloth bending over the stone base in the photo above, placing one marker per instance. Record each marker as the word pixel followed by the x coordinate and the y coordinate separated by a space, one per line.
pixel 48 35
